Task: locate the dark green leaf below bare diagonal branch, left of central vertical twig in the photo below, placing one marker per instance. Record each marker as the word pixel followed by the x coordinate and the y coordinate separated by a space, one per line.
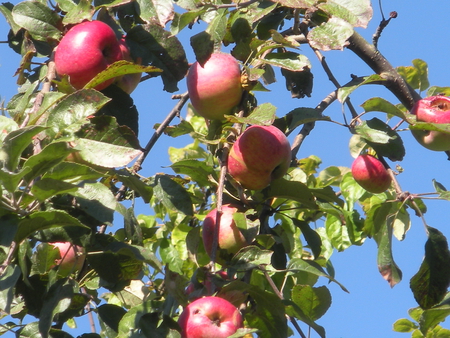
pixel 172 195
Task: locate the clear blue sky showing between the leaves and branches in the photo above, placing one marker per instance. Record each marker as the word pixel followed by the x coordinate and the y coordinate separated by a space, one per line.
pixel 371 307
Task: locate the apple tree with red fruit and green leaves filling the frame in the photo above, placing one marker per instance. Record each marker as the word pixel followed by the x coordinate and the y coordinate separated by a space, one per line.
pixel 71 161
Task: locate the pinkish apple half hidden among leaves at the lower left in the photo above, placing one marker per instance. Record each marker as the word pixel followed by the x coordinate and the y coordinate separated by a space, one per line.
pixel 71 259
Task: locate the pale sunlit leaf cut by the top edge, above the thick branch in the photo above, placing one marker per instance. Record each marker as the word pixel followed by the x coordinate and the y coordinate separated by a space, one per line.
pixel 357 12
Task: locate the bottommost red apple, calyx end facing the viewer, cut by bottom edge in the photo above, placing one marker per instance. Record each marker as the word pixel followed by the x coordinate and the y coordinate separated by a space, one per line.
pixel 209 317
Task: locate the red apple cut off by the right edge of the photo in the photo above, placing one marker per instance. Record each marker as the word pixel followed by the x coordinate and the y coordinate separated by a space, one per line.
pixel 433 109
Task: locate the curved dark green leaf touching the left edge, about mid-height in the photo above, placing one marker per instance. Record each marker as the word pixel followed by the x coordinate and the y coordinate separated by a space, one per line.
pixel 14 144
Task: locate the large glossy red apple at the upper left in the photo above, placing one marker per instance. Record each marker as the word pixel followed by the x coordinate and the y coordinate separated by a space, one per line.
pixel 86 50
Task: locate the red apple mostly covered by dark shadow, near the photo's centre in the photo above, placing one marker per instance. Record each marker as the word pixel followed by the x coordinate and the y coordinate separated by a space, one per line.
pixel 259 155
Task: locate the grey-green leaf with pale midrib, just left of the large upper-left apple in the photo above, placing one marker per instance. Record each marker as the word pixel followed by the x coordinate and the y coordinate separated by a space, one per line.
pixel 38 19
